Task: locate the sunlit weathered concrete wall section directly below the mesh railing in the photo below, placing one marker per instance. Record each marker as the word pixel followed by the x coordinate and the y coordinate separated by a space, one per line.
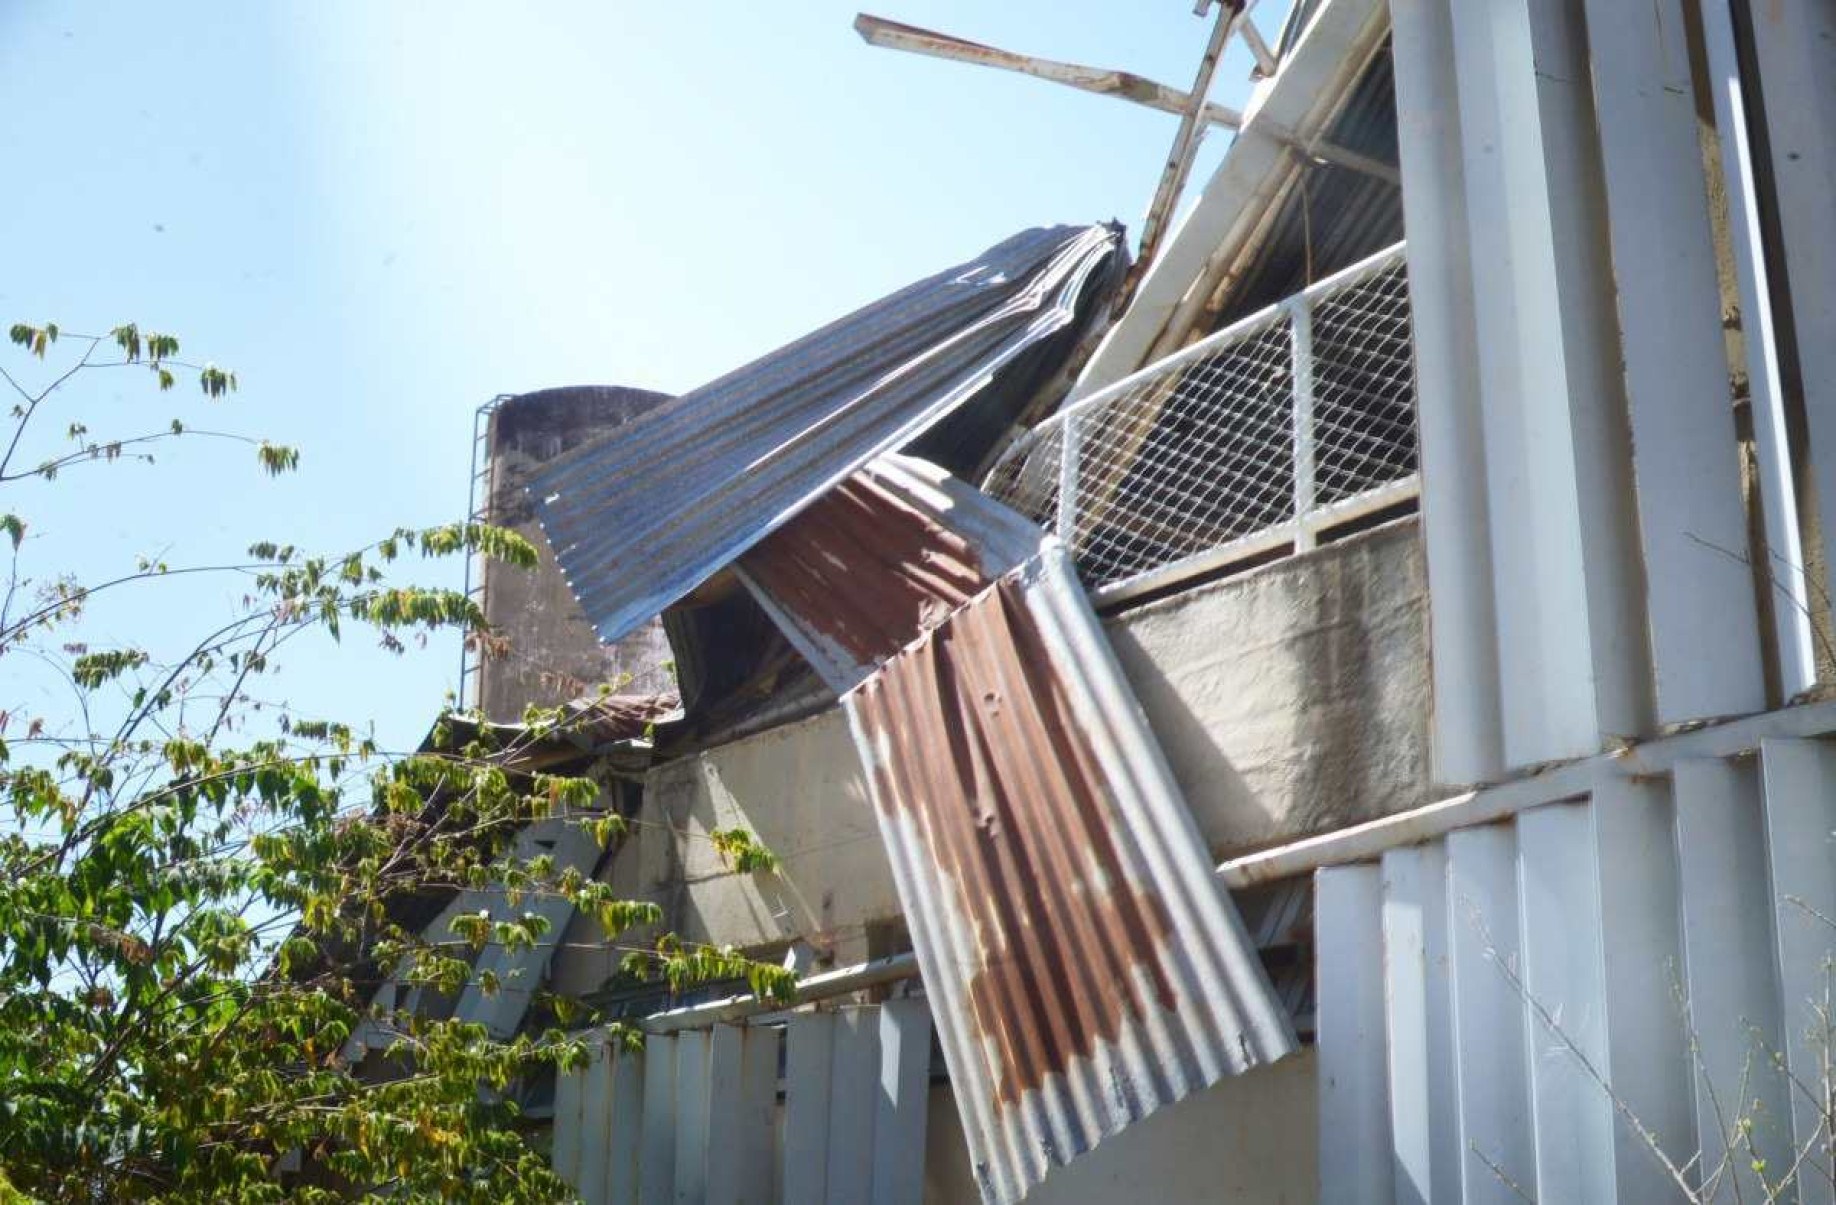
pixel 1295 699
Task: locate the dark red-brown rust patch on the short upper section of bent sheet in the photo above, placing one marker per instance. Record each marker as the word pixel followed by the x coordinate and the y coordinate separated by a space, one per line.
pixel 868 570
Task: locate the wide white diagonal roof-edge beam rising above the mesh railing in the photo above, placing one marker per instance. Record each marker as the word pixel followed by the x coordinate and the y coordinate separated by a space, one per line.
pixel 1297 104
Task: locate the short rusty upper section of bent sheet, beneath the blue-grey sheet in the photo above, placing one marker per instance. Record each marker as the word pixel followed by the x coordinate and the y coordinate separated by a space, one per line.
pixel 890 554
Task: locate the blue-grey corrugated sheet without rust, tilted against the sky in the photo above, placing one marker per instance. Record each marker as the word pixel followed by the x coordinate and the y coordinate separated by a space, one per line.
pixel 640 519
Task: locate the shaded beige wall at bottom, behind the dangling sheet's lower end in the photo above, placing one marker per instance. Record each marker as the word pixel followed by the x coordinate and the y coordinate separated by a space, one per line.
pixel 1249 1140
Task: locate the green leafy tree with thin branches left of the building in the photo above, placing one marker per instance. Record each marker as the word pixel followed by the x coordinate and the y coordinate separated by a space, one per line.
pixel 201 888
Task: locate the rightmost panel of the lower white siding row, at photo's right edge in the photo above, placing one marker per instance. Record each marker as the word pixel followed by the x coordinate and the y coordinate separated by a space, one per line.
pixel 1800 798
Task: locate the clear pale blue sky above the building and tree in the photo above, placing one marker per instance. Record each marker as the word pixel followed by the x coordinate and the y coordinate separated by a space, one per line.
pixel 383 214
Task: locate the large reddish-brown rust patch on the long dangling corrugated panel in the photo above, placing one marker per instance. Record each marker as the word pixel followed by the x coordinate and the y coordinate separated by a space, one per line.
pixel 978 739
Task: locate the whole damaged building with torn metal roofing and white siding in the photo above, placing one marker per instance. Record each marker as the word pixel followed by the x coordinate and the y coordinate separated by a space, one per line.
pixel 1336 712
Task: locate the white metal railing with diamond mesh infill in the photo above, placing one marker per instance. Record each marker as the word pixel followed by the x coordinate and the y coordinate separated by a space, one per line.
pixel 1262 436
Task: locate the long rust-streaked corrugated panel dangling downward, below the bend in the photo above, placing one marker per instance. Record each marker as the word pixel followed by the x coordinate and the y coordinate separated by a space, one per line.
pixel 1084 963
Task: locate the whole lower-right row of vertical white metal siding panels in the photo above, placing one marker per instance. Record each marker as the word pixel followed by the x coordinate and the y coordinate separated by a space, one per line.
pixel 1595 1000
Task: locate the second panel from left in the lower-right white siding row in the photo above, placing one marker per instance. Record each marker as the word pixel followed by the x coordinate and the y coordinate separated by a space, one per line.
pixel 1424 1094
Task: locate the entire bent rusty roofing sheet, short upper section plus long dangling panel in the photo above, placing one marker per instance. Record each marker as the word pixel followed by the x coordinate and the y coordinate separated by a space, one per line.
pixel 1084 965
